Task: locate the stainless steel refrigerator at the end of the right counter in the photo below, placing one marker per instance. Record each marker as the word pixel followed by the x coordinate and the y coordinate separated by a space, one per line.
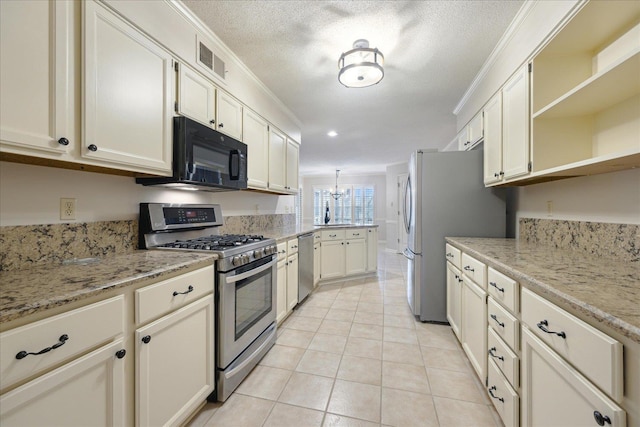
pixel 445 196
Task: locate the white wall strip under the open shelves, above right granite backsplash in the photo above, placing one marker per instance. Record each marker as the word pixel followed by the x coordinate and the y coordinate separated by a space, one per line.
pixel 612 197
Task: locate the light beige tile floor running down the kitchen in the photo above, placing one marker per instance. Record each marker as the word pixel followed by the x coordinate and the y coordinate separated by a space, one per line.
pixel 353 355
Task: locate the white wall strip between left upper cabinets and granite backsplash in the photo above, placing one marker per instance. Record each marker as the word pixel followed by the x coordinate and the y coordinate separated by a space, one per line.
pixel 31 195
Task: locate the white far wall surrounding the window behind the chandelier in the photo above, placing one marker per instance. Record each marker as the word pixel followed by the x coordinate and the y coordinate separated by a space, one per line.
pixel 329 181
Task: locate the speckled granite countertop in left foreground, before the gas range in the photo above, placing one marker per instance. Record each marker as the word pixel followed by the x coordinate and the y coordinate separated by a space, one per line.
pixel 24 292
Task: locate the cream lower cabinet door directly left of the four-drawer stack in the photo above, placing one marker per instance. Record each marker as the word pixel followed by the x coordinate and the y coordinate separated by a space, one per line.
pixel 474 326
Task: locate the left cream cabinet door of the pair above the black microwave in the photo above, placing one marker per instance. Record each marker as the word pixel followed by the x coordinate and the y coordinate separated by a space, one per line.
pixel 196 96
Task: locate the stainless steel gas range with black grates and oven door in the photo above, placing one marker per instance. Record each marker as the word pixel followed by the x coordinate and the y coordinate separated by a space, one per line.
pixel 245 288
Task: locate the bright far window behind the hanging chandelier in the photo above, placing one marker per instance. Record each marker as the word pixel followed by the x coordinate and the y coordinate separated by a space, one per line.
pixel 356 205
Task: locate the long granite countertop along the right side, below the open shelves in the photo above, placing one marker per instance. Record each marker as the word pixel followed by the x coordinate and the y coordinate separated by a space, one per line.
pixel 602 289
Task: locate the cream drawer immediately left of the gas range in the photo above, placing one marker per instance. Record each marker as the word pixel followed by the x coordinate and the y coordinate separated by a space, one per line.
pixel 155 300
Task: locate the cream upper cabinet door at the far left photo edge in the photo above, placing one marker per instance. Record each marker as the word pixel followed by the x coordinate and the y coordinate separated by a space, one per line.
pixel 36 71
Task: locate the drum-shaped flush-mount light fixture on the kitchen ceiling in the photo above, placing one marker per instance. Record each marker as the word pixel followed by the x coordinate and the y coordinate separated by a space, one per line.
pixel 361 66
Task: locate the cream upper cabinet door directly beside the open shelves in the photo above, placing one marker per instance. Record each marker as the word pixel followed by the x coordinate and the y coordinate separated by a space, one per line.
pixel 515 125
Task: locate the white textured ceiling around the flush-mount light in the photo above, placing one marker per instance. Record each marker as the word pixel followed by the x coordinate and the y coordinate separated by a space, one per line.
pixel 432 49
